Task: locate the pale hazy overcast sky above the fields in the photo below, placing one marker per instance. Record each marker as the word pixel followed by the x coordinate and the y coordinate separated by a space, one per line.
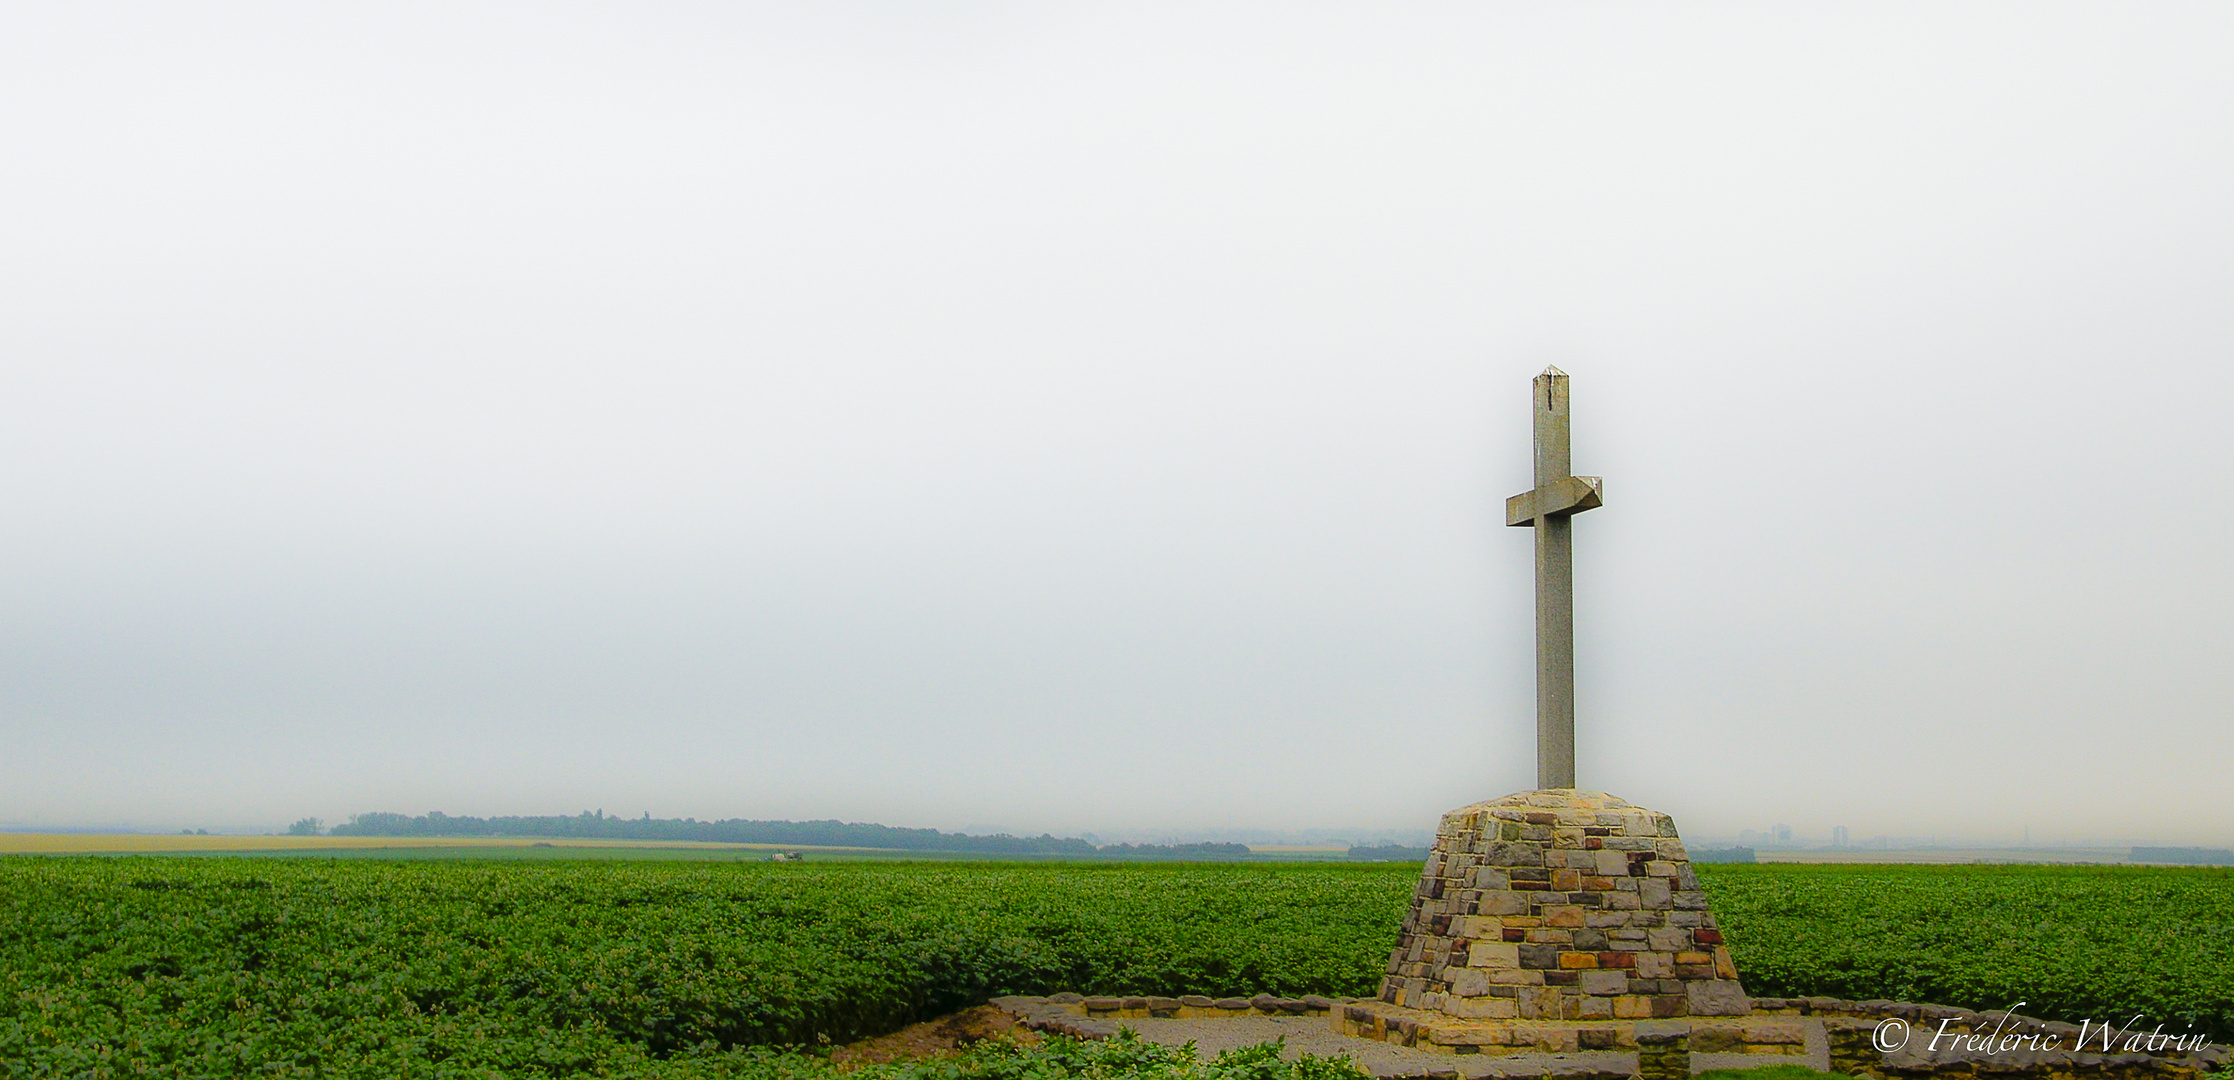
pixel 1098 417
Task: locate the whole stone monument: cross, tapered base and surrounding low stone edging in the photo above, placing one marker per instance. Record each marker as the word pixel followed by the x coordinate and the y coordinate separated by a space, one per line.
pixel 1565 931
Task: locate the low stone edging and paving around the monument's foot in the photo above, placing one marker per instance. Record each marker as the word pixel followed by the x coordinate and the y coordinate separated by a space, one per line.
pixel 1815 1032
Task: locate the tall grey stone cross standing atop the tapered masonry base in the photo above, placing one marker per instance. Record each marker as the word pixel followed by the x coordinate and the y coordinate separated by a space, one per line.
pixel 1556 498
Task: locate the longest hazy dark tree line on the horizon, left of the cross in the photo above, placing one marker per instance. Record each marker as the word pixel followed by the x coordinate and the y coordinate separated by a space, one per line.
pixel 785 833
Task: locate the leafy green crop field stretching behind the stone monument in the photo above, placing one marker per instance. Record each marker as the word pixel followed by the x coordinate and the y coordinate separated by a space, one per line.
pixel 312 967
